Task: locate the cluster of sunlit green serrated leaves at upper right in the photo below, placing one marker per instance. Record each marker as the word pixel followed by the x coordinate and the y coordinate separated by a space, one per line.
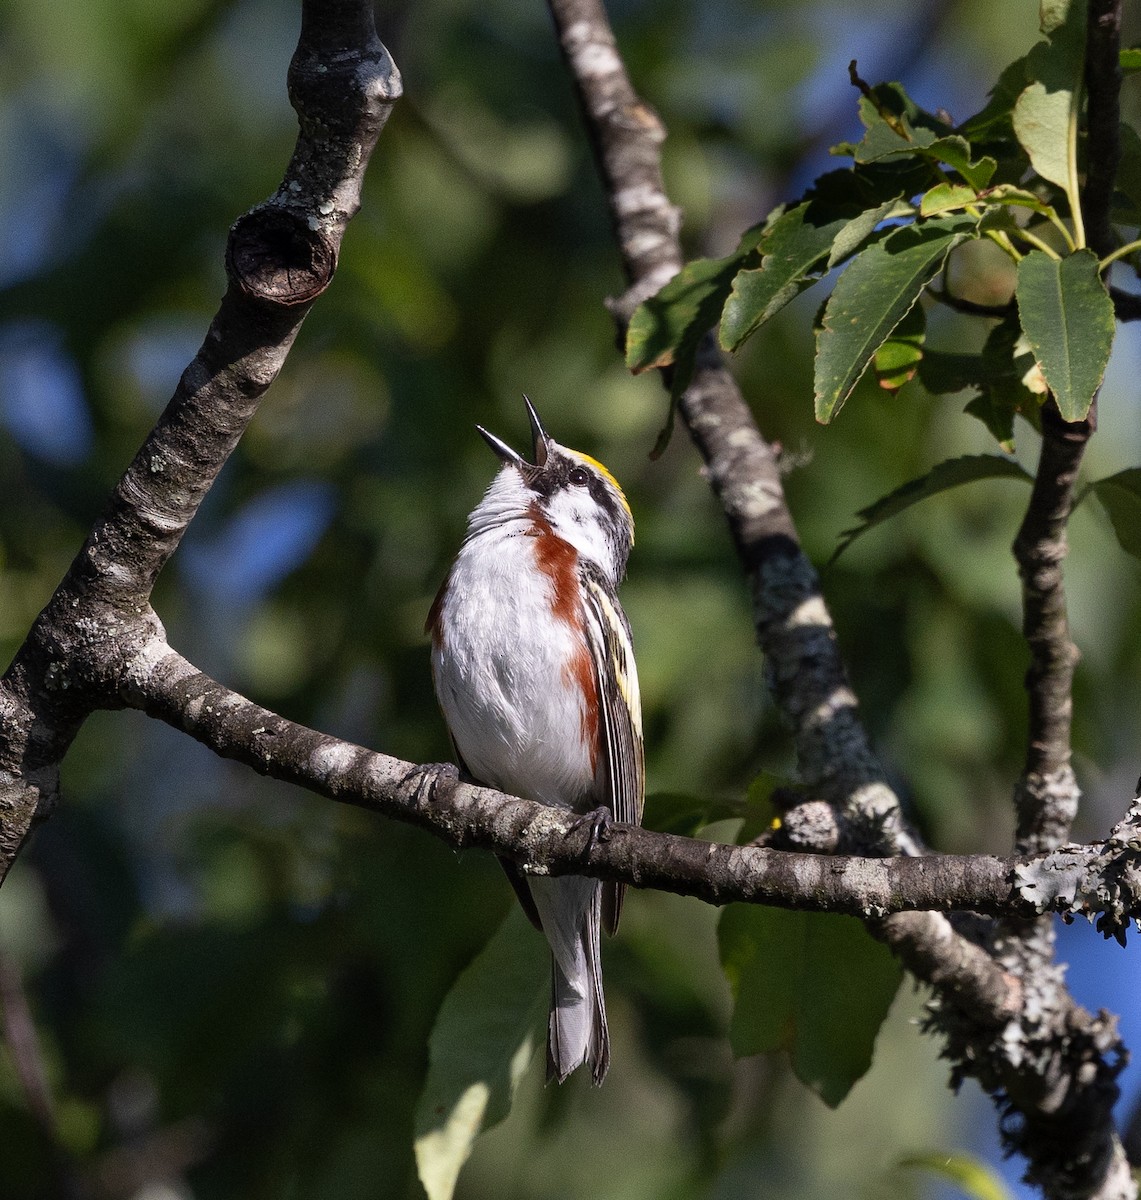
pixel 918 189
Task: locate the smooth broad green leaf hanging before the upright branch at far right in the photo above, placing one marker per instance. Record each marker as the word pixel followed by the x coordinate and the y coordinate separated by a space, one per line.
pixel 1068 317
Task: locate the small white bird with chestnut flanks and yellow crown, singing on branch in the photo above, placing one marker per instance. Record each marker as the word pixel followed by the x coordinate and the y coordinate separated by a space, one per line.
pixel 535 671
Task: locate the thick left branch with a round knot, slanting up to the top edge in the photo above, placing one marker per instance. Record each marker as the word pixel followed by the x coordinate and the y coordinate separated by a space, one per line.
pixel 280 257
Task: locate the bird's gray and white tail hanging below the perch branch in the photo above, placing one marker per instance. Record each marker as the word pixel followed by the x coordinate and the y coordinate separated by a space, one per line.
pixel 572 911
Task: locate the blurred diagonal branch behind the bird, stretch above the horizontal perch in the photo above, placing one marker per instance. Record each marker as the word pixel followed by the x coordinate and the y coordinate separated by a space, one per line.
pixel 794 627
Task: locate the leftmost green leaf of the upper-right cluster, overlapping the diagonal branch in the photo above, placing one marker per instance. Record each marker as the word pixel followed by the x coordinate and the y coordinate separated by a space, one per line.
pixel 669 326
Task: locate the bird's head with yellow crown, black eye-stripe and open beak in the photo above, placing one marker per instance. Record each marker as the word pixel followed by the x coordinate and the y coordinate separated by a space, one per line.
pixel 574 494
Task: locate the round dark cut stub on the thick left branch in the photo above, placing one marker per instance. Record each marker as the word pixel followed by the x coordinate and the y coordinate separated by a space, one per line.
pixel 274 256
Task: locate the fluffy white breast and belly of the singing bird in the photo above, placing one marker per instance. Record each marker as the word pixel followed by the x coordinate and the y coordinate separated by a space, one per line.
pixel 501 664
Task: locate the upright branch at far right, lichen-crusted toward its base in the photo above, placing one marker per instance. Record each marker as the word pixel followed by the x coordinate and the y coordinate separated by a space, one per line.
pixel 1067 1085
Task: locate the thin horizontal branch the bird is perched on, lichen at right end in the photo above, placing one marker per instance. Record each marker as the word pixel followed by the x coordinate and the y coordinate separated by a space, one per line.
pixel 551 842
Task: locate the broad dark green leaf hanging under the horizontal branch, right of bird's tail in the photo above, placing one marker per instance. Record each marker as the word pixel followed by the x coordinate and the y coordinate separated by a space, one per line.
pixel 792 976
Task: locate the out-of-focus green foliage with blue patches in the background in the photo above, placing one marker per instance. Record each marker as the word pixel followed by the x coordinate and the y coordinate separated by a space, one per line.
pixel 233 983
